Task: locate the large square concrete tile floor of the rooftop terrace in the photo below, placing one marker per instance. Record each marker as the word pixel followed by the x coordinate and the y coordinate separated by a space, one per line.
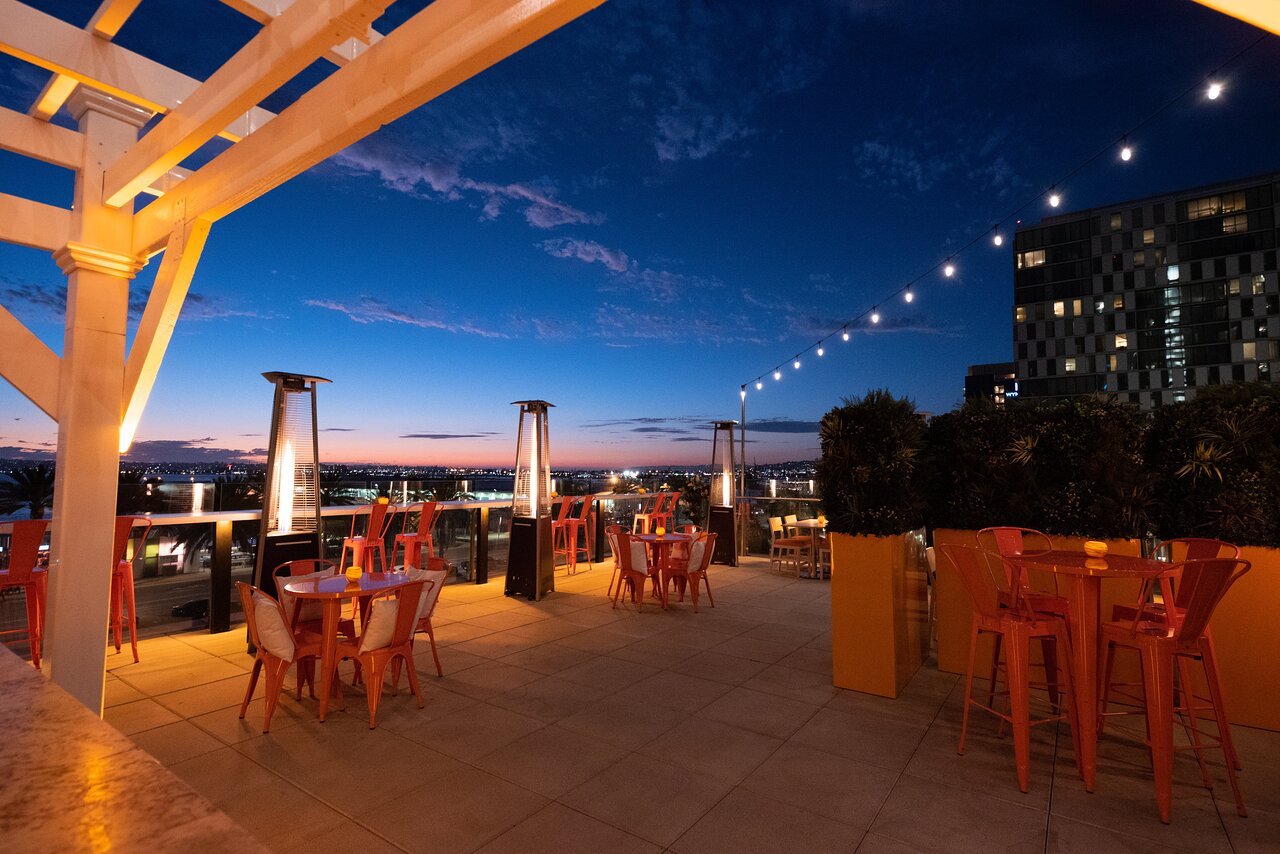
pixel 568 727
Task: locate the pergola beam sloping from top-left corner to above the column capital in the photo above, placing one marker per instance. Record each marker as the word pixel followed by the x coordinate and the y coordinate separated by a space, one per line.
pixel 56 45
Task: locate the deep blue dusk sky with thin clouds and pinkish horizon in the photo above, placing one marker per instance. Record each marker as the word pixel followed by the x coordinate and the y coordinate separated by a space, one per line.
pixel 652 207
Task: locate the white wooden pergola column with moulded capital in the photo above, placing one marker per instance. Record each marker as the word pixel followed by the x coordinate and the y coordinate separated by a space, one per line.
pixel 99 268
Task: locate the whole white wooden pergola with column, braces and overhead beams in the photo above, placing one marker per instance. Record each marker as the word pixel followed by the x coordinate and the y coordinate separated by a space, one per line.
pixel 95 391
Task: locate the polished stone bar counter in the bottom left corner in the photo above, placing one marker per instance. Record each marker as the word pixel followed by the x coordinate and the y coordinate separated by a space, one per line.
pixel 72 783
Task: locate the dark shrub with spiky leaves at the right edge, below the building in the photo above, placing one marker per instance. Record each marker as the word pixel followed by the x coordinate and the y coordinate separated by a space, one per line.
pixel 1217 464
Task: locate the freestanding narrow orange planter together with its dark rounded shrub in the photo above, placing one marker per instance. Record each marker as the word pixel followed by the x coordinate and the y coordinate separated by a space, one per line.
pixel 871 494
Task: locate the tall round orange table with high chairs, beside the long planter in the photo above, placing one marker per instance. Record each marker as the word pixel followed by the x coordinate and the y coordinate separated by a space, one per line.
pixel 1084 577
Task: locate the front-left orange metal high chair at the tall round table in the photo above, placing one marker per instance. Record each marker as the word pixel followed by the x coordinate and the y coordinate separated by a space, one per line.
pixel 988 588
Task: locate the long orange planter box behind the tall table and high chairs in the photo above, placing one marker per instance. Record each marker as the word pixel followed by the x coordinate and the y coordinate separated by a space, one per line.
pixel 1249 654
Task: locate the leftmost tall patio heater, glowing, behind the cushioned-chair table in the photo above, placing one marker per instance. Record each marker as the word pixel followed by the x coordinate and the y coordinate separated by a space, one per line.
pixel 291 508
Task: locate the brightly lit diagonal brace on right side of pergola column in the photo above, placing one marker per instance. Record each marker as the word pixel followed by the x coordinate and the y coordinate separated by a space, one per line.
pixel 156 330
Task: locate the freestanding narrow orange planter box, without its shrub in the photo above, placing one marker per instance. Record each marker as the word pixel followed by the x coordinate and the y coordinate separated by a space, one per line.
pixel 880 632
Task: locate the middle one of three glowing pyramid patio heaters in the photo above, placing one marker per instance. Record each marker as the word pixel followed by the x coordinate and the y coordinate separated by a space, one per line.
pixel 531 564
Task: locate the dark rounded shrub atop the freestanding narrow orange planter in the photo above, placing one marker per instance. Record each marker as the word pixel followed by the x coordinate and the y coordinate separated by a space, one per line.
pixel 867 474
